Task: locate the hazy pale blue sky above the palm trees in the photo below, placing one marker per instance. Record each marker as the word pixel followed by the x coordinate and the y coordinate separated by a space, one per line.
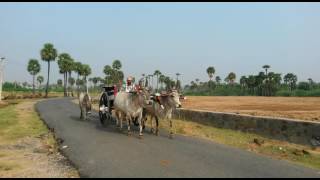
pixel 171 37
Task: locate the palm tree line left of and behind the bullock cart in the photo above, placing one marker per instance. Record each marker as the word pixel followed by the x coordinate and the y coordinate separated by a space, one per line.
pixel 68 65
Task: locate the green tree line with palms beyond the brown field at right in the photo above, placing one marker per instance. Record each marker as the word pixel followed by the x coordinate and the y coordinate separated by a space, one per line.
pixel 264 83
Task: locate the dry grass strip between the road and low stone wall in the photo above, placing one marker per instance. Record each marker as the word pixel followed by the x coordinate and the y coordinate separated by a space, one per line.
pixel 299 154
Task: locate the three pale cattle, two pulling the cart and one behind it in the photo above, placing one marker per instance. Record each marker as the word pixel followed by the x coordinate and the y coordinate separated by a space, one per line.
pixel 135 107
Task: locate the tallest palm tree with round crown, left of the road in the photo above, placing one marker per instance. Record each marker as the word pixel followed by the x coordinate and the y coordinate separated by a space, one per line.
pixel 48 53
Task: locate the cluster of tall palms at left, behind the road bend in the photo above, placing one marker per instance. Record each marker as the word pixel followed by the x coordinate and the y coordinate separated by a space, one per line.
pixel 66 64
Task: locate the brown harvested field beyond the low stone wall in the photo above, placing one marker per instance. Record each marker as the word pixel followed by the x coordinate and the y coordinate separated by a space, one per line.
pixel 304 108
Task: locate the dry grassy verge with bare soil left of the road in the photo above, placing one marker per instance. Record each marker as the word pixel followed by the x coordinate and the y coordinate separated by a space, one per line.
pixel 27 148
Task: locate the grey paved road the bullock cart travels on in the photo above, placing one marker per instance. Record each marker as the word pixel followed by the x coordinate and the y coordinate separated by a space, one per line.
pixel 106 152
